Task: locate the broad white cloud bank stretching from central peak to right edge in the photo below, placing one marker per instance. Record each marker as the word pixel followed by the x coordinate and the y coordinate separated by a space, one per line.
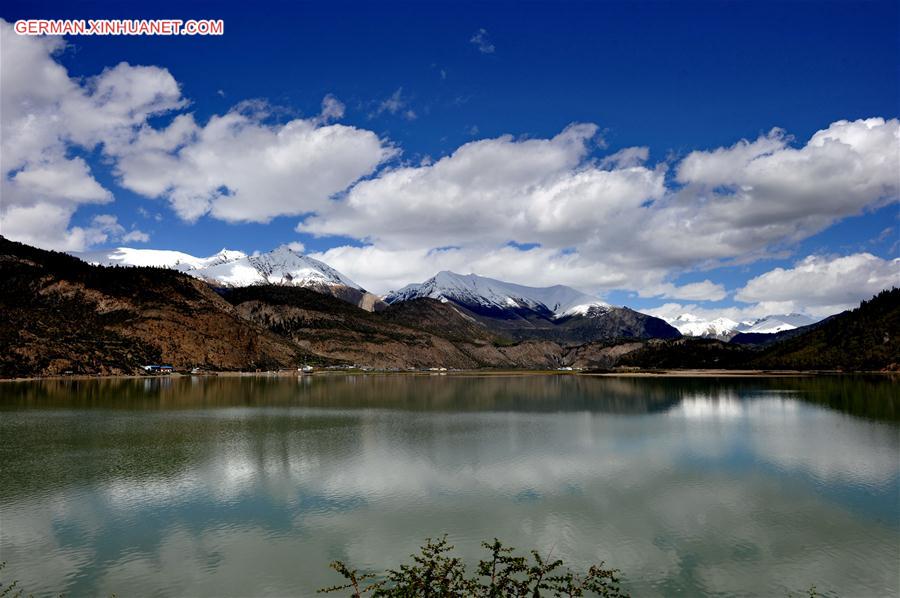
pixel 616 217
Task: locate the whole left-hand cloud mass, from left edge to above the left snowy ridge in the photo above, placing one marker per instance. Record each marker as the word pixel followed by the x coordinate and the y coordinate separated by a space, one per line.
pixel 237 167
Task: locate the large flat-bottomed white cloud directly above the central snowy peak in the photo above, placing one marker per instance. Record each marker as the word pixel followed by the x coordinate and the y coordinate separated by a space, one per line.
pixel 492 191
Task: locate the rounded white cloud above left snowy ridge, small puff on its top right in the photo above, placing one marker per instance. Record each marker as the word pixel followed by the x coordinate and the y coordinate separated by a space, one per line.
pixel 240 168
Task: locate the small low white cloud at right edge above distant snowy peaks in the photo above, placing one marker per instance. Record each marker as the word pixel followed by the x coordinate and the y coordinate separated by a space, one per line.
pixel 823 285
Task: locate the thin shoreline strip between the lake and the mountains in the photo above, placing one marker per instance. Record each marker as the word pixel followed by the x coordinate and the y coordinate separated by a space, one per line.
pixel 673 373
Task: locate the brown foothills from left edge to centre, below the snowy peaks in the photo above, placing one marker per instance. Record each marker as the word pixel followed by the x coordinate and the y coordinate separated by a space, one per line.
pixel 64 315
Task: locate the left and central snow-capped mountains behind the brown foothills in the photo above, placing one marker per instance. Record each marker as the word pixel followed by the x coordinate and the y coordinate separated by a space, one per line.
pixel 517 312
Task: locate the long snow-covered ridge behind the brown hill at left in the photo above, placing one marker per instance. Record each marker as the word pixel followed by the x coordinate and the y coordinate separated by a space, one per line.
pixel 229 268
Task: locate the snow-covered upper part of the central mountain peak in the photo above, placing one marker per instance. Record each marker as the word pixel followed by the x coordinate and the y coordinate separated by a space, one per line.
pixel 489 295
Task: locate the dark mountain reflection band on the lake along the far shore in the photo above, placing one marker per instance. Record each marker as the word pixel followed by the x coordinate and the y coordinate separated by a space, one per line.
pixel 873 397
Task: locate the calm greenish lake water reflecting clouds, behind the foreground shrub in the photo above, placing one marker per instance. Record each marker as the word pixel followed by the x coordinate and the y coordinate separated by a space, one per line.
pixel 250 486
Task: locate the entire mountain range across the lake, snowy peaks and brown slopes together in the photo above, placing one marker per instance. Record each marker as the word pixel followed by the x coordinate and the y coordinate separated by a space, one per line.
pixel 233 311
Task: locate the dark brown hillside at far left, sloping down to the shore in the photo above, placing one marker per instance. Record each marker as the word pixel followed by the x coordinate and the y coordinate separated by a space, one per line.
pixel 63 315
